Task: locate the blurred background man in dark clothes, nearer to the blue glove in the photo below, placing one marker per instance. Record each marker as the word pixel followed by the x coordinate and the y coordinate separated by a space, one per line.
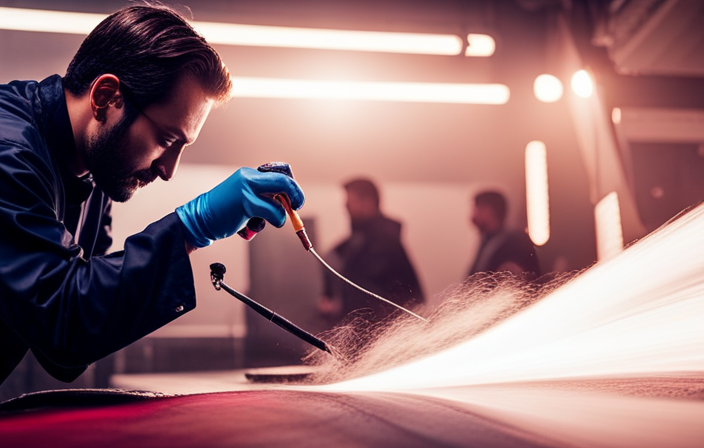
pixel 372 257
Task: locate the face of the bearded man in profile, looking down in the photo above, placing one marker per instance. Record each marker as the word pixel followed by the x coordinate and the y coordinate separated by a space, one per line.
pixel 127 155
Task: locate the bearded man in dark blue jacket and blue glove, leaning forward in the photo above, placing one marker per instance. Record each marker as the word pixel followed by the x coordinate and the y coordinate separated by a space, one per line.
pixel 136 93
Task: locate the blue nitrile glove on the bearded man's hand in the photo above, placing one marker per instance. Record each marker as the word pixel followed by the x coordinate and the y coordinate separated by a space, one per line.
pixel 225 209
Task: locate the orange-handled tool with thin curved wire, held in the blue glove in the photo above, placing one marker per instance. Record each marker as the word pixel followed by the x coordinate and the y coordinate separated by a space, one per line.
pixel 251 230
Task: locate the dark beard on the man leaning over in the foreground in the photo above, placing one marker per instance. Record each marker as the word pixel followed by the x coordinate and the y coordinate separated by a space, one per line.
pixel 104 158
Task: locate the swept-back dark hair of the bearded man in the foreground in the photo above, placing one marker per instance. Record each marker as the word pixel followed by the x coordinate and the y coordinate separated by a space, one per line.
pixel 148 47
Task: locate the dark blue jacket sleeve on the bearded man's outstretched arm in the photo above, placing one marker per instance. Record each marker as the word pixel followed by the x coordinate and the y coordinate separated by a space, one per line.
pixel 73 311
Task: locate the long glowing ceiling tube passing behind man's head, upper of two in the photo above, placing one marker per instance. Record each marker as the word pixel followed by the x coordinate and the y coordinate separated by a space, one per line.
pixel 255 35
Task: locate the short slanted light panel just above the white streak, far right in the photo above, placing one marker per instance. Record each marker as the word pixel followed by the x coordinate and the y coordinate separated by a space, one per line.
pixel 609 234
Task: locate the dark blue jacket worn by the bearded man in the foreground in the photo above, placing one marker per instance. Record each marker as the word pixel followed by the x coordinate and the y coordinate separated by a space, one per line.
pixel 60 295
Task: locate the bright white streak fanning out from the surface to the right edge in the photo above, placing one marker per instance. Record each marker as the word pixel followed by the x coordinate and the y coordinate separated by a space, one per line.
pixel 636 314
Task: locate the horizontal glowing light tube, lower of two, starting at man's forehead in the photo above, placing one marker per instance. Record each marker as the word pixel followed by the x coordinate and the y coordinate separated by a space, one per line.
pixel 371 91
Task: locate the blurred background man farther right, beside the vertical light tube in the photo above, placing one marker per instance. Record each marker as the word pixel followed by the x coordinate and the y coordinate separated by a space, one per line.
pixel 501 249
